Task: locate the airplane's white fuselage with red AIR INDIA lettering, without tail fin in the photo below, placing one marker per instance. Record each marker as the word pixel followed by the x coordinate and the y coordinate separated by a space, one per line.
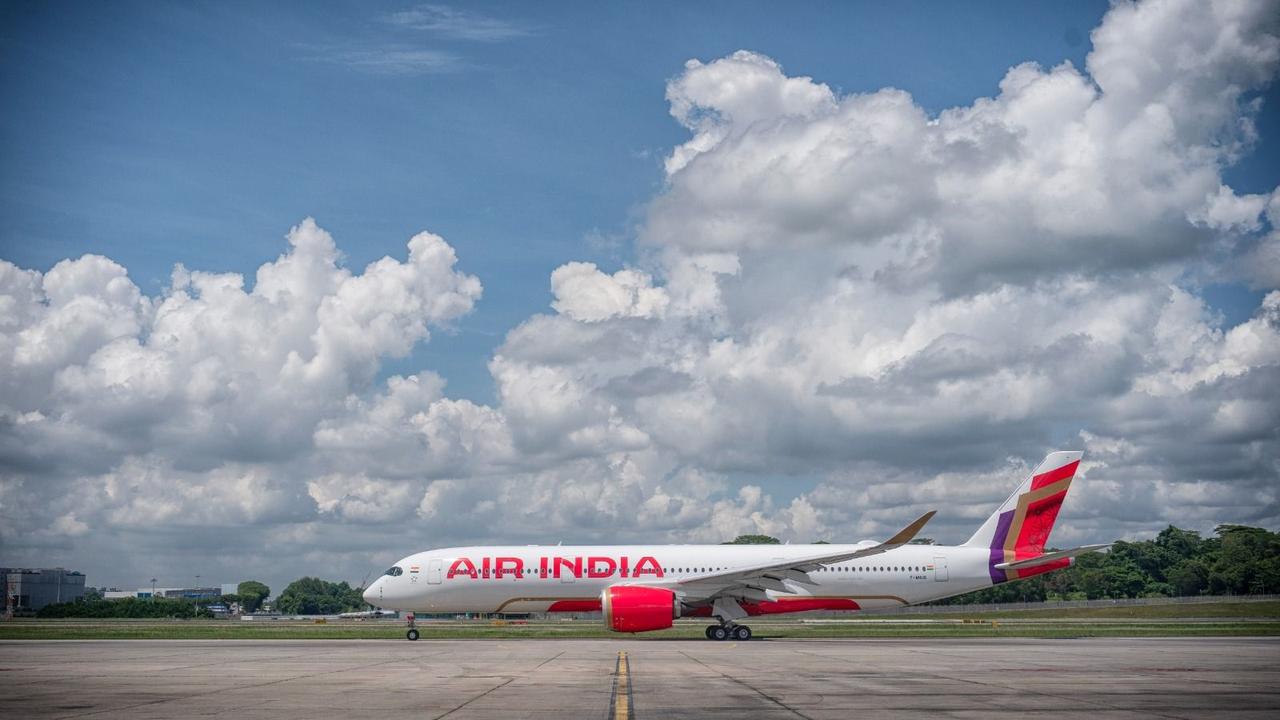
pixel 572 578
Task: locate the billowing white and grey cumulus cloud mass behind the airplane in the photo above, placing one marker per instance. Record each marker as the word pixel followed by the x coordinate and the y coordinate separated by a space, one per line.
pixel 852 311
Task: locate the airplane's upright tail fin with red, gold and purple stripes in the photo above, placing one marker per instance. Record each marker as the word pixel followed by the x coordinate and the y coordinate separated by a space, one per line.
pixel 1020 528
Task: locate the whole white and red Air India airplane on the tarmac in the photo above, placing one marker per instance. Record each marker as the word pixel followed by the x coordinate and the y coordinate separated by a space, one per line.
pixel 643 589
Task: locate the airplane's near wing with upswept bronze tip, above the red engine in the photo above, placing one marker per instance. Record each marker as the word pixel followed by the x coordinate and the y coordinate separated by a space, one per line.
pixel 724 590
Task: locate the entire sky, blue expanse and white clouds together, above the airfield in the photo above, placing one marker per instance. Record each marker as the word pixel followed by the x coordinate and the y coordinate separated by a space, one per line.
pixel 819 308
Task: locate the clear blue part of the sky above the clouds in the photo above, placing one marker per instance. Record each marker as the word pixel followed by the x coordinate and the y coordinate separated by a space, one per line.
pixel 199 134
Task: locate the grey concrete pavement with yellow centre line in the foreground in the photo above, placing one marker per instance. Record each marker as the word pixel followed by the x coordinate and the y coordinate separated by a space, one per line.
pixel 1096 678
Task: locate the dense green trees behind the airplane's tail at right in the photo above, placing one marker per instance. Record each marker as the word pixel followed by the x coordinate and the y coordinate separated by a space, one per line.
pixel 1240 560
